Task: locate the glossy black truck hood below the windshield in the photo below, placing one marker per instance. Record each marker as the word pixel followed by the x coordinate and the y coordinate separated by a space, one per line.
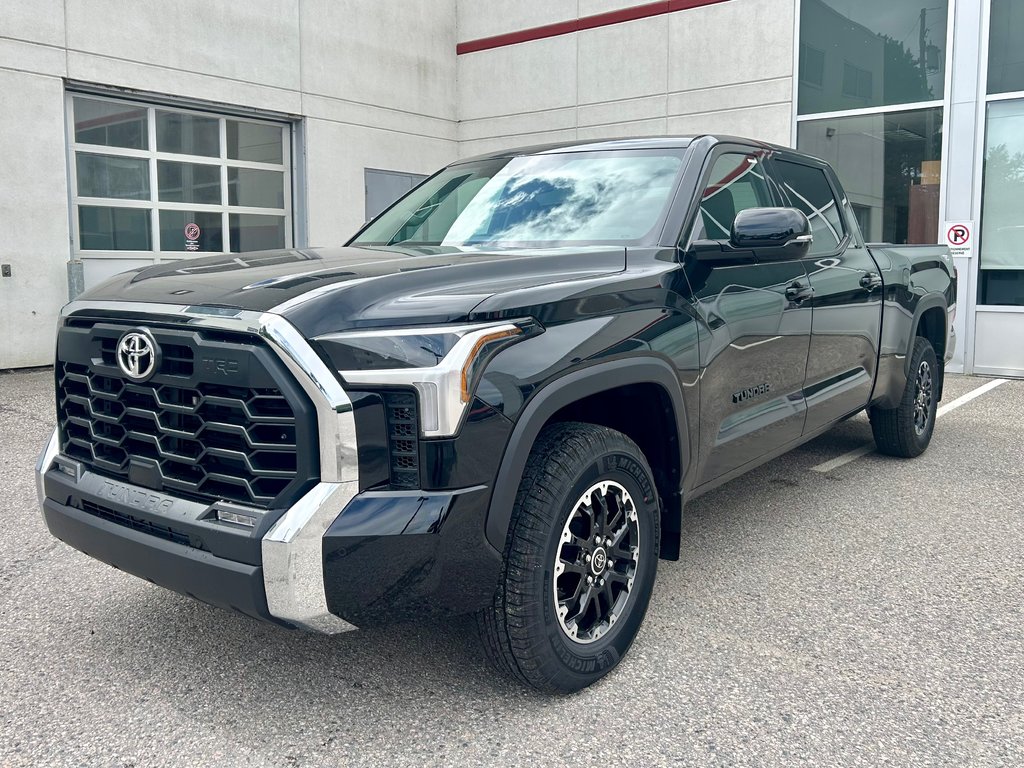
pixel 331 289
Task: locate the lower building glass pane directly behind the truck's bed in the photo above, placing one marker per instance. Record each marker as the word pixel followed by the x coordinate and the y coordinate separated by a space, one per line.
pixel 889 164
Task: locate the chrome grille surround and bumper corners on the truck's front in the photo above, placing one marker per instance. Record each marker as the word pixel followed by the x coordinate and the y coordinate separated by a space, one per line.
pixel 292 549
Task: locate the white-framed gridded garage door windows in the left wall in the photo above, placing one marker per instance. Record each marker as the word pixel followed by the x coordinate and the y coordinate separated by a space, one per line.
pixel 169 183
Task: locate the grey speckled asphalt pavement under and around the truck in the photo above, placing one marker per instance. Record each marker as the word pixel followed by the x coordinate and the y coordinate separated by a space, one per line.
pixel 873 615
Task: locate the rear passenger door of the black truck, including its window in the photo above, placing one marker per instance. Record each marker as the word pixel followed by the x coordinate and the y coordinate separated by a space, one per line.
pixel 846 307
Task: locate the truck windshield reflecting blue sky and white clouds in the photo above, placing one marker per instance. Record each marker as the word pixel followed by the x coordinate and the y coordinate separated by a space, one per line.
pixel 539 200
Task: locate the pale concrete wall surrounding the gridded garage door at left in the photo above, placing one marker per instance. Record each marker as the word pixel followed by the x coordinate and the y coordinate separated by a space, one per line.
pixel 367 90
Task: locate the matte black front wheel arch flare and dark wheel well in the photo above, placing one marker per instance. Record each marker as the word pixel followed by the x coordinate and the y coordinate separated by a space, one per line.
pixel 584 395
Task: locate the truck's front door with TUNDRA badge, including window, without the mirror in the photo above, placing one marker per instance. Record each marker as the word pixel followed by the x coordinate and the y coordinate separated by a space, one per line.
pixel 755 331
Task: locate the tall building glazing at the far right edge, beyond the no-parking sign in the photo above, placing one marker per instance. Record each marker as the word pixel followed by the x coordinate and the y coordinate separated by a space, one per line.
pixel 1002 255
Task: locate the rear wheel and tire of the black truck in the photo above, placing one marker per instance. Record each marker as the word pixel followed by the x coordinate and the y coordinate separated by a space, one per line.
pixel 907 430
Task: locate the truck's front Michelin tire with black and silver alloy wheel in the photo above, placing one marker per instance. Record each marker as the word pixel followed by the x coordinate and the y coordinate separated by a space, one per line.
pixel 535 631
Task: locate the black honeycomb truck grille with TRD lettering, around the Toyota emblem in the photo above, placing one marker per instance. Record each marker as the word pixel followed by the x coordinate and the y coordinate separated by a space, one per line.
pixel 215 423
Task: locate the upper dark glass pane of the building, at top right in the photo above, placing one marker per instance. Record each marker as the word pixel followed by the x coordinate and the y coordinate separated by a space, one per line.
pixel 862 54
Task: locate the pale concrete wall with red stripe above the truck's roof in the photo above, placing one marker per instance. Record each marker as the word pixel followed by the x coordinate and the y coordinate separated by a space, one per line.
pixel 722 68
